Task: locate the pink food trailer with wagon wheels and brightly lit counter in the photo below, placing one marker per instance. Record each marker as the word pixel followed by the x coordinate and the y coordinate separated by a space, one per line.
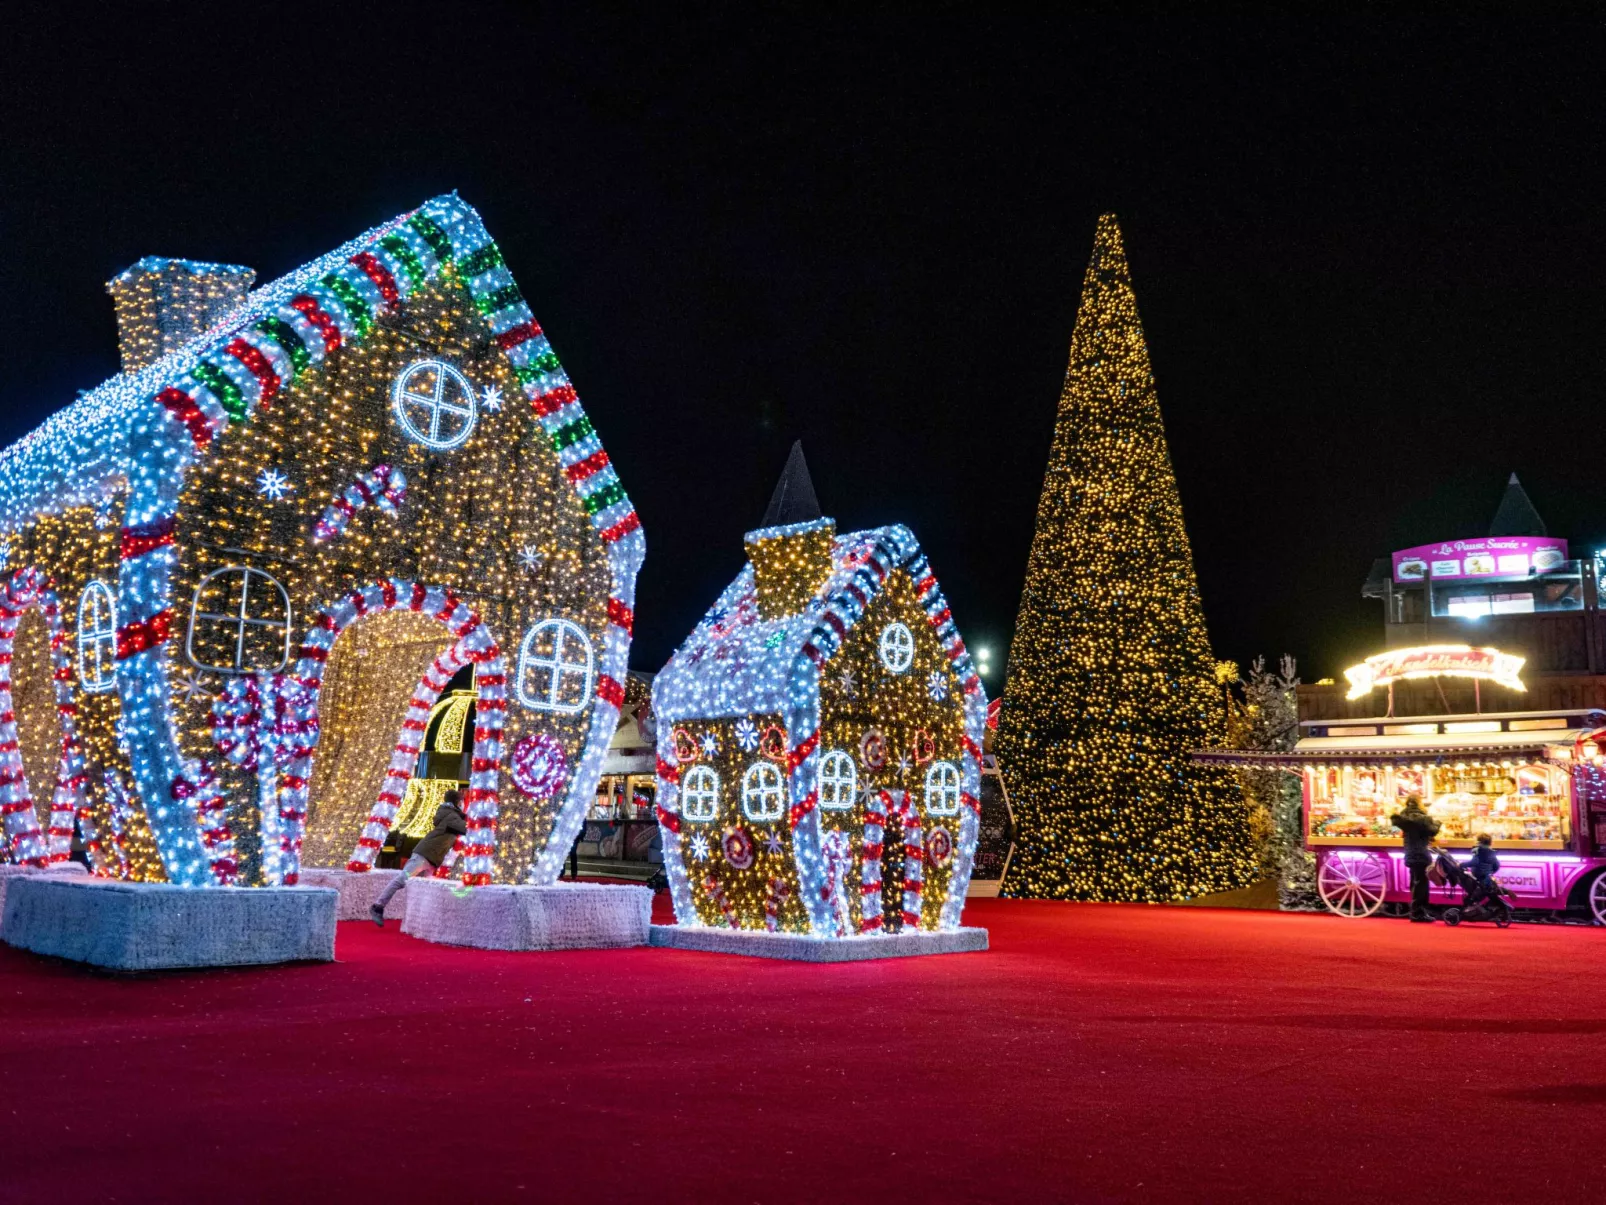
pixel 1535 782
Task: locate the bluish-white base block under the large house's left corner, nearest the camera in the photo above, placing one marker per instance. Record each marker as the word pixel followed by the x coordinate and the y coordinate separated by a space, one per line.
pixel 155 926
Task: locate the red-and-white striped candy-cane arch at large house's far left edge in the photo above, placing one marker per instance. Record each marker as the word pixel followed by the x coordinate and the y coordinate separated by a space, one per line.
pixel 23 590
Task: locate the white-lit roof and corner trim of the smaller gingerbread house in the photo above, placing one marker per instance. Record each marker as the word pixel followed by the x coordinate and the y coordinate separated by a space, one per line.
pixel 743 668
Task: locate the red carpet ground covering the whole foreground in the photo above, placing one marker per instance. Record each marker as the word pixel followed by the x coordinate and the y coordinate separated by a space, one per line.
pixel 1098 1053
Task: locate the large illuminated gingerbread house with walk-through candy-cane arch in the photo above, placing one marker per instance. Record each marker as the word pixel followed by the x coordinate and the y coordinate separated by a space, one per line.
pixel 243 574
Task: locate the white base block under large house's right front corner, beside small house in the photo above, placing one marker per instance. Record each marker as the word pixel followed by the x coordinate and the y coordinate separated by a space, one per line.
pixel 563 917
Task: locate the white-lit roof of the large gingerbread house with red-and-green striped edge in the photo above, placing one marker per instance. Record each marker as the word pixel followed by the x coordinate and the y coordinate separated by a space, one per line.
pixel 84 454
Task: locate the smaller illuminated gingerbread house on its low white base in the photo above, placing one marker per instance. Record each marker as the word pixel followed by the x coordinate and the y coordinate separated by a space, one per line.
pixel 820 750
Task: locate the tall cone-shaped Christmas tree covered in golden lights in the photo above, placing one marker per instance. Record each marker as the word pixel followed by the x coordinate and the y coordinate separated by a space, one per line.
pixel 1111 677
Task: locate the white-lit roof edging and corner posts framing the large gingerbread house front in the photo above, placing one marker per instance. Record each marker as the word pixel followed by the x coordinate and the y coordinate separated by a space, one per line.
pixel 118 433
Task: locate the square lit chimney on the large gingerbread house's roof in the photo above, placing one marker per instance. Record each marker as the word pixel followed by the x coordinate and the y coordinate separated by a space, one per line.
pixel 166 303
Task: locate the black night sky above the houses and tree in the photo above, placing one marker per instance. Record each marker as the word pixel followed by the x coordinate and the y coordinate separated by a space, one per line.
pixel 1369 255
